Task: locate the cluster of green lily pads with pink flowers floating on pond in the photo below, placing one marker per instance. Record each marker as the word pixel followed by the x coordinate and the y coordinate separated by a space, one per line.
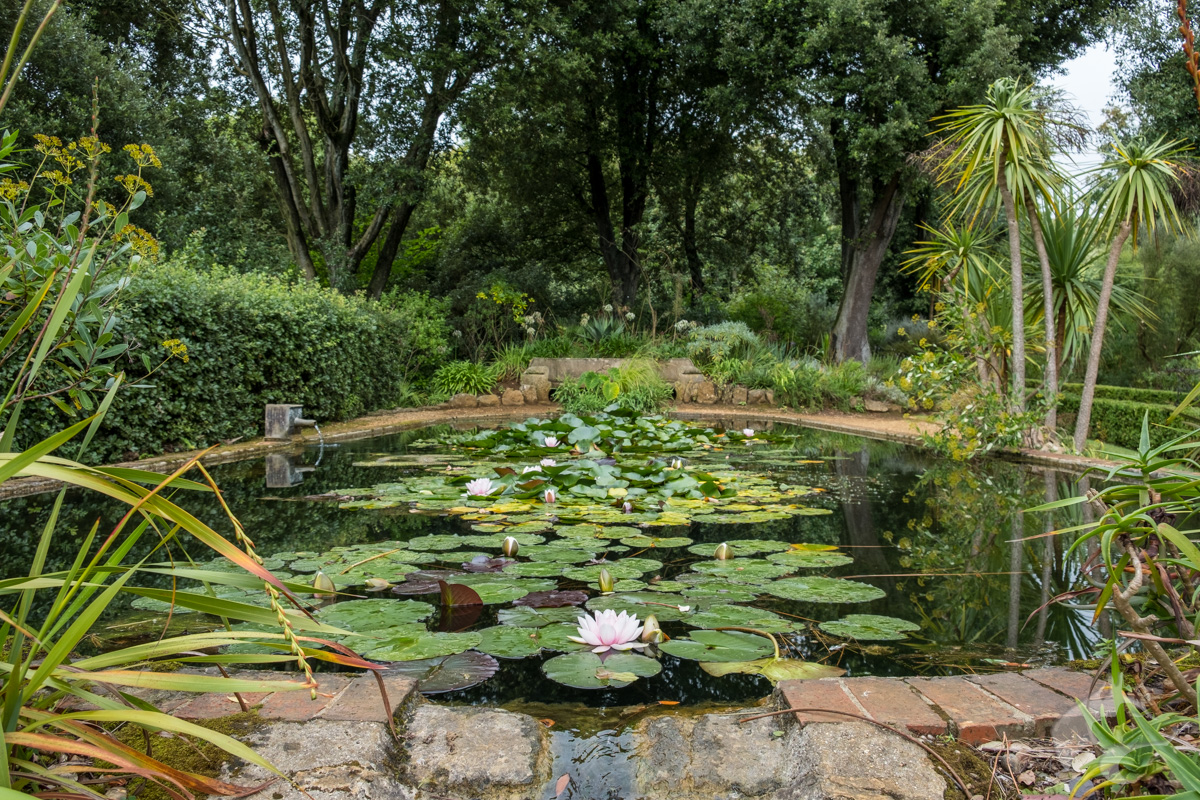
pixel 580 533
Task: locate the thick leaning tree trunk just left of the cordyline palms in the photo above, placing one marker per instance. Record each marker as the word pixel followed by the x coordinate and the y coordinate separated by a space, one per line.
pixel 862 260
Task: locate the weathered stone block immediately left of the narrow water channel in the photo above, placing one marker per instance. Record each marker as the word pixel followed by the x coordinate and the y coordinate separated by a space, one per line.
pixel 476 753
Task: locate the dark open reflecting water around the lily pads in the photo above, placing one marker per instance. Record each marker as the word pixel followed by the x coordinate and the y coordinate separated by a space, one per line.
pixel 950 545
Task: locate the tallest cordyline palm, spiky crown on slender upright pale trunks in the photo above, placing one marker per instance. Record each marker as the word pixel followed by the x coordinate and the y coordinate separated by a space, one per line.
pixel 1003 148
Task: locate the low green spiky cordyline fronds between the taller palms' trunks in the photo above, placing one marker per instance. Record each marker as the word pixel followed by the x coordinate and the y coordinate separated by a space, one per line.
pixel 1077 251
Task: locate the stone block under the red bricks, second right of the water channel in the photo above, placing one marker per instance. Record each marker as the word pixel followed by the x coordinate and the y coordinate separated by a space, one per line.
pixel 857 761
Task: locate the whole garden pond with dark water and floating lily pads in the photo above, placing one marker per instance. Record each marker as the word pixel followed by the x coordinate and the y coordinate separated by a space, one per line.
pixel 853 555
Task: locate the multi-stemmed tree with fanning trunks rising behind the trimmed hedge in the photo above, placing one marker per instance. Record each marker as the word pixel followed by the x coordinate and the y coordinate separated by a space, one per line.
pixel 353 97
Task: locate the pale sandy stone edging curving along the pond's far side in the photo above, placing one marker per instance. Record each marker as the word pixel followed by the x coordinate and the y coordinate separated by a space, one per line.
pixel 891 426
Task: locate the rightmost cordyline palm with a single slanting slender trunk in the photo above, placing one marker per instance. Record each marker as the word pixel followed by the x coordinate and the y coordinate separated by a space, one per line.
pixel 1138 179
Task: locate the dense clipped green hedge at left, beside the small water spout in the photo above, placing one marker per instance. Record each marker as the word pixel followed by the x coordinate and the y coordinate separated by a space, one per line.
pixel 251 340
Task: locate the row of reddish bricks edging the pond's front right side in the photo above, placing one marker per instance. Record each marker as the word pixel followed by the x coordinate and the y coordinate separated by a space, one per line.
pixel 974 708
